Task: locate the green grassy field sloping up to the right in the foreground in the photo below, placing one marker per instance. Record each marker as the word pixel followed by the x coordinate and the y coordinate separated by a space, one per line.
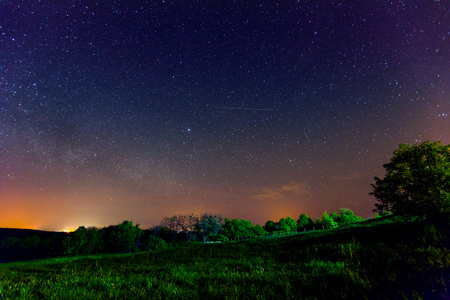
pixel 379 259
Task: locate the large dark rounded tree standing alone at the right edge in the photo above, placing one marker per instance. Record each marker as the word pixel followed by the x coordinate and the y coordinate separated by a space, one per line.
pixel 417 181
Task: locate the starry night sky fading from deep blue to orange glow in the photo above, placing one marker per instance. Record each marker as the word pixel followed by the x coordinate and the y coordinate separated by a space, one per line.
pixel 136 110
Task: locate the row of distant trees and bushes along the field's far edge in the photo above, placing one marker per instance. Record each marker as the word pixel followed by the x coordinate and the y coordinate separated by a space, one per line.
pixel 127 237
